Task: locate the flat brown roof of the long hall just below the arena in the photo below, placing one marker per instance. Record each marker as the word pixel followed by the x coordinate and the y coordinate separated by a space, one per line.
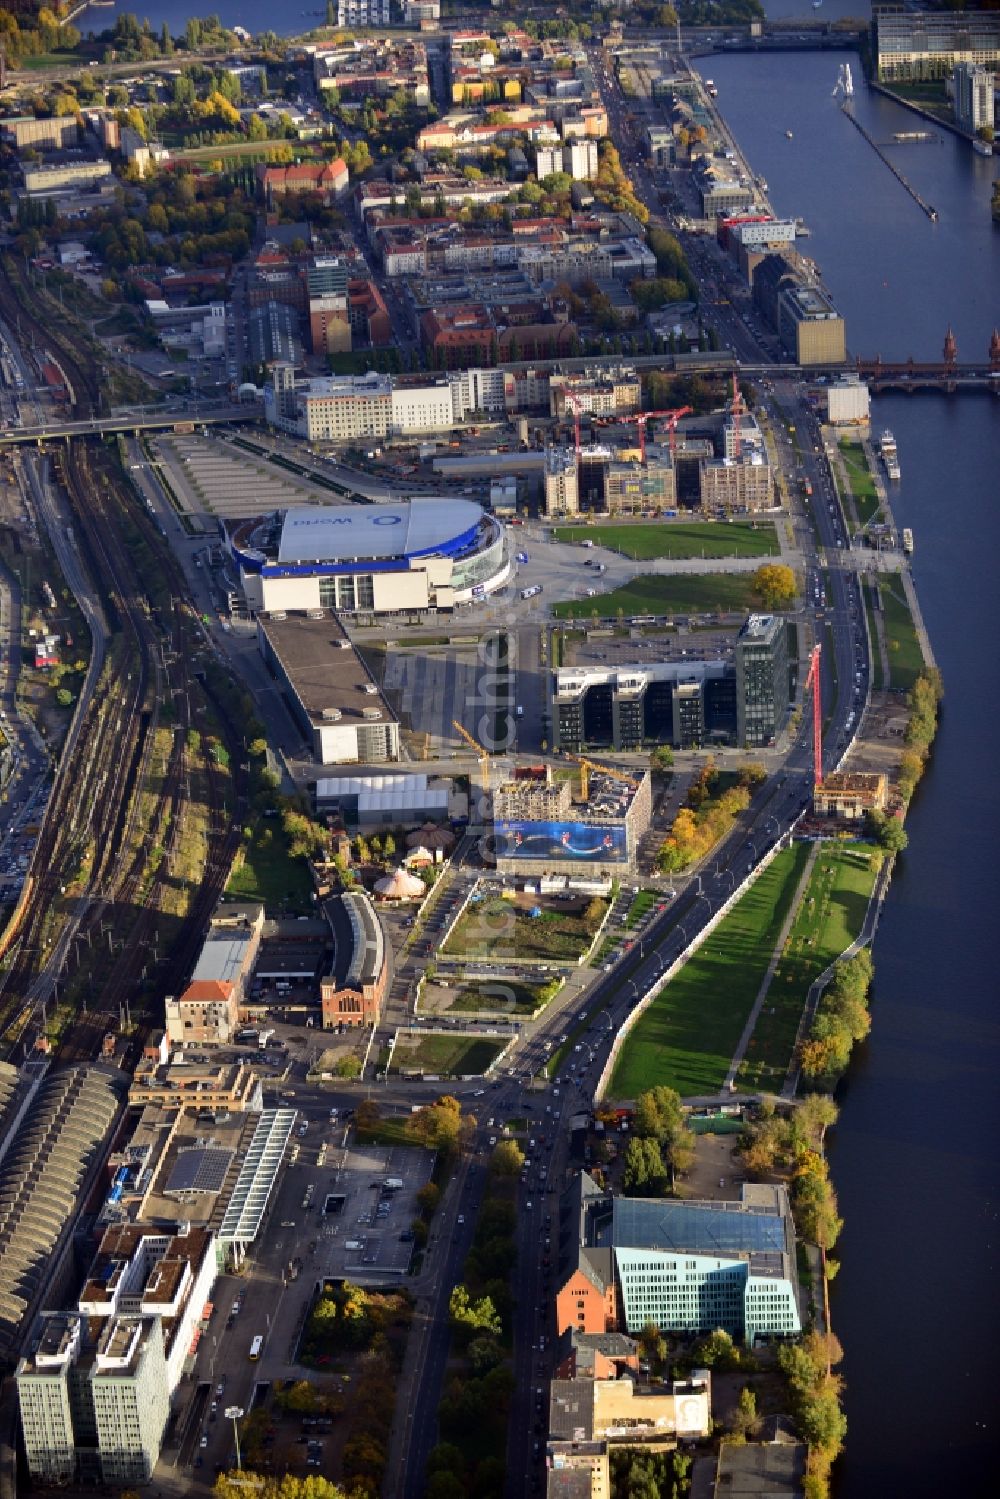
pixel 325 669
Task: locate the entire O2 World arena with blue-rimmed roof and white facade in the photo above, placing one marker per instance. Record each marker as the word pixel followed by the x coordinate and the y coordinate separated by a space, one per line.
pixel 409 555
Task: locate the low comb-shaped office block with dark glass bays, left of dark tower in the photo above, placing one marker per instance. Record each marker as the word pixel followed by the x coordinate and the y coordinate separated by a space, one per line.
pixel 683 704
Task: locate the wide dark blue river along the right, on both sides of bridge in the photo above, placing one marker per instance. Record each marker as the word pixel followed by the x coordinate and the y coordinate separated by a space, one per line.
pixel 915 1155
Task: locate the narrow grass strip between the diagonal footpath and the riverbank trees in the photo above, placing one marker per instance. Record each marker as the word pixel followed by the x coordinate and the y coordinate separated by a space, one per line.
pixel 828 921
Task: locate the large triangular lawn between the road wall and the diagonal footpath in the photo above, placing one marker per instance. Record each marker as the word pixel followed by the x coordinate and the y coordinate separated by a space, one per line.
pixel 689 1035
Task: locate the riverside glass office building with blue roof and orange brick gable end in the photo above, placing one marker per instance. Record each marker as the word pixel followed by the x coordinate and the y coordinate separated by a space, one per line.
pixel 687 1267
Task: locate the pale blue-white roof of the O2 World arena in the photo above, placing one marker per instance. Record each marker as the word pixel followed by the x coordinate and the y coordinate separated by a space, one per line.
pixel 410 528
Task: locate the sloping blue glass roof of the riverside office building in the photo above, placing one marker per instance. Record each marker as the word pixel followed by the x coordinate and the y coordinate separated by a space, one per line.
pixel 696 1228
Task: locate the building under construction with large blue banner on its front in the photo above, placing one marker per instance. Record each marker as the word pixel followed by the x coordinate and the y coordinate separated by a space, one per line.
pixel 548 827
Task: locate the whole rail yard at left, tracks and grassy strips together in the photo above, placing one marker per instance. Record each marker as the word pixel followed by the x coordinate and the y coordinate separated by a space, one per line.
pixel 89 936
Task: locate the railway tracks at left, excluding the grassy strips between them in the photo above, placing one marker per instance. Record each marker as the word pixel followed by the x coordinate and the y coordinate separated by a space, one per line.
pixel 95 801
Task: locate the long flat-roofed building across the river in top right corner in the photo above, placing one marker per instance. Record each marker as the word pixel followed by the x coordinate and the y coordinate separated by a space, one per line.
pixel 917 46
